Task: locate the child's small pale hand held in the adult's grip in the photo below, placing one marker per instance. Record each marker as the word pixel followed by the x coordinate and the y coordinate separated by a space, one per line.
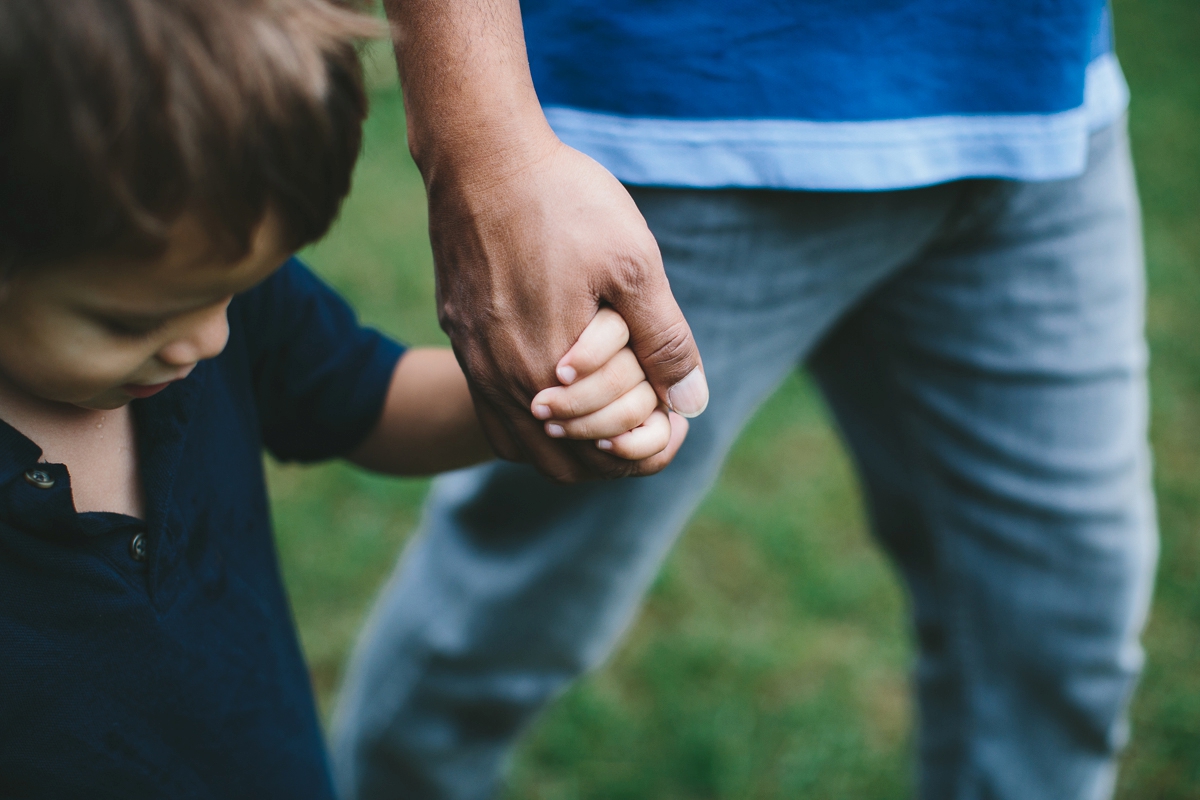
pixel 605 396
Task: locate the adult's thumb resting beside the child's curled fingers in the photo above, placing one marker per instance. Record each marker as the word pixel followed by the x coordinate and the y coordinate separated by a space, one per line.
pixel 662 339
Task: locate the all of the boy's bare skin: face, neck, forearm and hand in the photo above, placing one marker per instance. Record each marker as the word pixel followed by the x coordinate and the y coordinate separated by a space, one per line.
pixel 81 341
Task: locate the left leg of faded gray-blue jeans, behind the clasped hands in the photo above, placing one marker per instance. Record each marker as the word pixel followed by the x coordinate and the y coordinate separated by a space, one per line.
pixel 514 586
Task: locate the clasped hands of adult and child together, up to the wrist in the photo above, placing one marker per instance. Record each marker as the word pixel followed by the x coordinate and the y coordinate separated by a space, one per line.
pixel 530 251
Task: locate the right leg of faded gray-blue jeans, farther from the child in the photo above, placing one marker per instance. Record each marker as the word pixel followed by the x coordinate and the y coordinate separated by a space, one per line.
pixel 995 398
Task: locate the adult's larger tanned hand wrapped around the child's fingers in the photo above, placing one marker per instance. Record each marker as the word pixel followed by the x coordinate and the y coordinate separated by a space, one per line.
pixel 524 262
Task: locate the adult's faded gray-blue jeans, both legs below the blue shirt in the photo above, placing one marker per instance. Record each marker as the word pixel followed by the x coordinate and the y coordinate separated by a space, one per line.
pixel 981 345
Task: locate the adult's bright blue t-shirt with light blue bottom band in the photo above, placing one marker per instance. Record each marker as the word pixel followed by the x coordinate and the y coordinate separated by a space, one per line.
pixel 826 94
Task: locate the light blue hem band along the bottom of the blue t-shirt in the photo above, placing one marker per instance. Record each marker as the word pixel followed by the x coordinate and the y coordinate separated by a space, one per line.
pixel 849 157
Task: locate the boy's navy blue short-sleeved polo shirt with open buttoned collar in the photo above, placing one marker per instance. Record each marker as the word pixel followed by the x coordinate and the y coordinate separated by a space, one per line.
pixel 159 659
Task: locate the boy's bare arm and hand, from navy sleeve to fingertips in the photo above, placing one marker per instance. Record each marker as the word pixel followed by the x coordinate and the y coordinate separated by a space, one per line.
pixel 429 422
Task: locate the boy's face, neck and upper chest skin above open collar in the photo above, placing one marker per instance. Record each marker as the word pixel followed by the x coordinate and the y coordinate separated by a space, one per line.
pixel 80 341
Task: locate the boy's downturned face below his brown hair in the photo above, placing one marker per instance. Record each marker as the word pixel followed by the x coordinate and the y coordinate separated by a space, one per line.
pixel 100 333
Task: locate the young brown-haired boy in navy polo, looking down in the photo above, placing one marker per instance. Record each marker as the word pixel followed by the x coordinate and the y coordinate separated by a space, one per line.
pixel 159 161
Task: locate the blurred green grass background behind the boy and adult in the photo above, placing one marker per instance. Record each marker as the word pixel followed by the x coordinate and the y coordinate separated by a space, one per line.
pixel 772 658
